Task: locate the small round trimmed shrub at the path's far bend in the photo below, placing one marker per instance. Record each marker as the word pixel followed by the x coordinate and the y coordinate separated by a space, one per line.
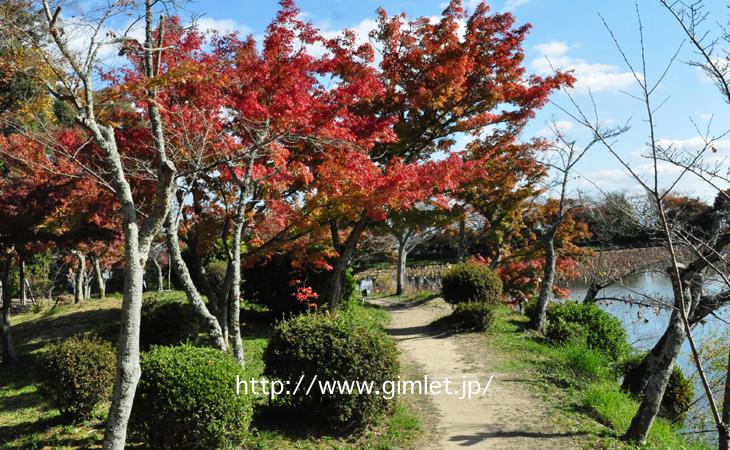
pixel 471 282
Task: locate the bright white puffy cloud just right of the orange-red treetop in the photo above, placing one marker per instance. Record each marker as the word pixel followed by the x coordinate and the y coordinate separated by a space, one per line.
pixel 595 77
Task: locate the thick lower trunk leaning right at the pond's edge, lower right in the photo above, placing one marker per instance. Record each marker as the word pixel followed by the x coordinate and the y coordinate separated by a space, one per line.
pixel 661 369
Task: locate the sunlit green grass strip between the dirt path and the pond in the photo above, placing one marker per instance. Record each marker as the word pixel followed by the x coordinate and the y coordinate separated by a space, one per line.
pixel 577 384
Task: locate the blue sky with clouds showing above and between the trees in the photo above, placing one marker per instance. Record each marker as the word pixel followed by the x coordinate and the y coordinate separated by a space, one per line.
pixel 570 33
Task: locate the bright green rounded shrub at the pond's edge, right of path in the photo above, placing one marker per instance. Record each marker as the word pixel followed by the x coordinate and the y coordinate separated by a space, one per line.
pixel 601 330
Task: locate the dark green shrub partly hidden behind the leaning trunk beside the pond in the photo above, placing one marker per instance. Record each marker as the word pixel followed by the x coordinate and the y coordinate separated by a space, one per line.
pixel 678 396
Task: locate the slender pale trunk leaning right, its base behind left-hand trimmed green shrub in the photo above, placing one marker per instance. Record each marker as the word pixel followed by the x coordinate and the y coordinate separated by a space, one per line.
pixel 182 273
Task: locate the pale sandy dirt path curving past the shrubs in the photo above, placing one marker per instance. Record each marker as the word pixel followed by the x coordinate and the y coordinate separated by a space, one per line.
pixel 506 417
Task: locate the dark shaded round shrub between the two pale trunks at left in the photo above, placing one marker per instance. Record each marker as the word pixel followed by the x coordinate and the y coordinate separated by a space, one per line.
pixel 168 320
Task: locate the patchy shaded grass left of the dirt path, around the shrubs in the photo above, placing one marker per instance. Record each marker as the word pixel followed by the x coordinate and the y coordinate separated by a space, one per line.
pixel 28 421
